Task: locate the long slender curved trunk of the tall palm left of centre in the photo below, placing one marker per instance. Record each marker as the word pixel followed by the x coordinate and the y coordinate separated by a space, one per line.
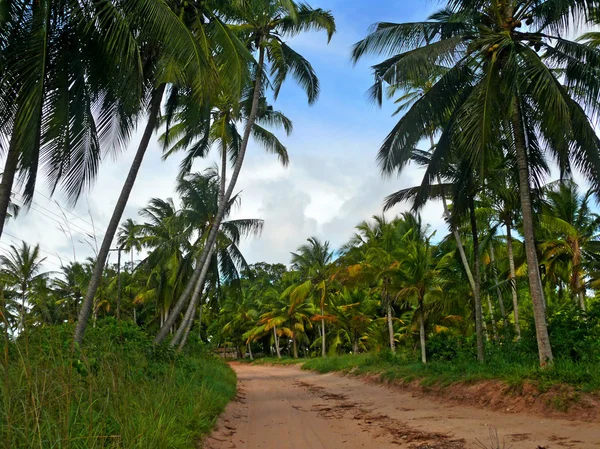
pixel 200 273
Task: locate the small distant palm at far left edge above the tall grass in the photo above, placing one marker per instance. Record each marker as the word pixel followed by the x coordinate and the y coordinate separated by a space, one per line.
pixel 21 268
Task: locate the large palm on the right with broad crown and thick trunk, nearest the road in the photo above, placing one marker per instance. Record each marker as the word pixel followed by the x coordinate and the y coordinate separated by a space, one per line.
pixel 501 86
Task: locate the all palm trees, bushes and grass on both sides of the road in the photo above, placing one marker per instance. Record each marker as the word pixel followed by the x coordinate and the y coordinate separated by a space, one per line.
pixel 495 106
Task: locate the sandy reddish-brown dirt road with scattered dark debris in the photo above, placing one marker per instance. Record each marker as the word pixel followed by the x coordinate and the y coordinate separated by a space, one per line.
pixel 287 408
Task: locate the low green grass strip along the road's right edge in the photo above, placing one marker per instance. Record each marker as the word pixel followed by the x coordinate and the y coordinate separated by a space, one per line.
pixel 584 377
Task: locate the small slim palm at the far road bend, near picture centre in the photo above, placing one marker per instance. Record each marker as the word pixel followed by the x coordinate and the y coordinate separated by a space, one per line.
pixel 311 261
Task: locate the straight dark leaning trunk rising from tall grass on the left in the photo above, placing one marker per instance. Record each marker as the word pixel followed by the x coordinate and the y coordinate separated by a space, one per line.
pixel 88 302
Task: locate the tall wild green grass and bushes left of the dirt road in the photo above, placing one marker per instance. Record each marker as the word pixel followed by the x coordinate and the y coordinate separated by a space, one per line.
pixel 117 393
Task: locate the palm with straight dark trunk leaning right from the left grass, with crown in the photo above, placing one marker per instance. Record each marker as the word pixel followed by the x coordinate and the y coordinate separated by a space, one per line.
pixel 212 46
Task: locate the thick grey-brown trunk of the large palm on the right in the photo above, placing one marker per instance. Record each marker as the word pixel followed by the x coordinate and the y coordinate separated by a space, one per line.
pixel 535 282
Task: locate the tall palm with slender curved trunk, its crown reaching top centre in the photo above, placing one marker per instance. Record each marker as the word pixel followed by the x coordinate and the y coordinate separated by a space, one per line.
pixel 264 24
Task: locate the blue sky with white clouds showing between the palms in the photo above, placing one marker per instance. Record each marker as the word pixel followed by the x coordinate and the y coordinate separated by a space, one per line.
pixel 332 182
